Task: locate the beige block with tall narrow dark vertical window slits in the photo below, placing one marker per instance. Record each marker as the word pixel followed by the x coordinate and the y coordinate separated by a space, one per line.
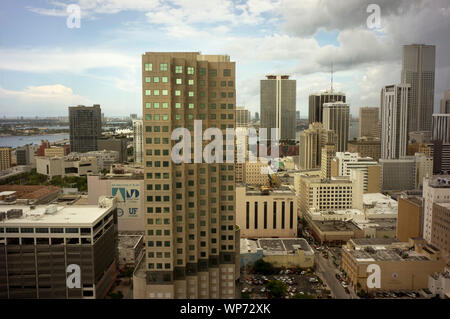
pixel 266 213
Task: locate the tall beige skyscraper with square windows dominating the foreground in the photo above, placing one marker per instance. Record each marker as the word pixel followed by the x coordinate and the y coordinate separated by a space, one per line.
pixel 190 233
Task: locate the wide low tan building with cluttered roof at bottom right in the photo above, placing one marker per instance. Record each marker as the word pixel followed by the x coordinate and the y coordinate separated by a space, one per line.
pixel 403 266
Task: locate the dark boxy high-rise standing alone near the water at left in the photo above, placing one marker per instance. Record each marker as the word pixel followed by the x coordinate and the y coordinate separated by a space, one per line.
pixel 85 127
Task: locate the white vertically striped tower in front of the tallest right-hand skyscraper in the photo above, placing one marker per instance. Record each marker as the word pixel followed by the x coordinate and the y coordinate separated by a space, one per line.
pixel 395 102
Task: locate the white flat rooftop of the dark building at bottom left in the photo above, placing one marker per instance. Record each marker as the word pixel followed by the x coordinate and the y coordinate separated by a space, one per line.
pixel 83 215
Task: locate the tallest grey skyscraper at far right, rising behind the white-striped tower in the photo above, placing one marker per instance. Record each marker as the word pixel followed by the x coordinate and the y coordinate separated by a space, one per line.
pixel 418 70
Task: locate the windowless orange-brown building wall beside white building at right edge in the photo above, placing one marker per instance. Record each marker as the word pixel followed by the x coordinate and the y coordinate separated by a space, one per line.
pixel 409 219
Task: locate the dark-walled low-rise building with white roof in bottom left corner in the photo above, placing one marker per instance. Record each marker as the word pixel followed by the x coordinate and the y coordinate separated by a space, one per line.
pixel 40 246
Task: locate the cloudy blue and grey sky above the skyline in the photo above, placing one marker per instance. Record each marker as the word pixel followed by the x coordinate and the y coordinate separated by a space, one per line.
pixel 45 66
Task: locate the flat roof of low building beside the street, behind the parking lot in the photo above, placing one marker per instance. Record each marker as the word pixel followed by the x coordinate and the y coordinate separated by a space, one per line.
pixel 283 246
